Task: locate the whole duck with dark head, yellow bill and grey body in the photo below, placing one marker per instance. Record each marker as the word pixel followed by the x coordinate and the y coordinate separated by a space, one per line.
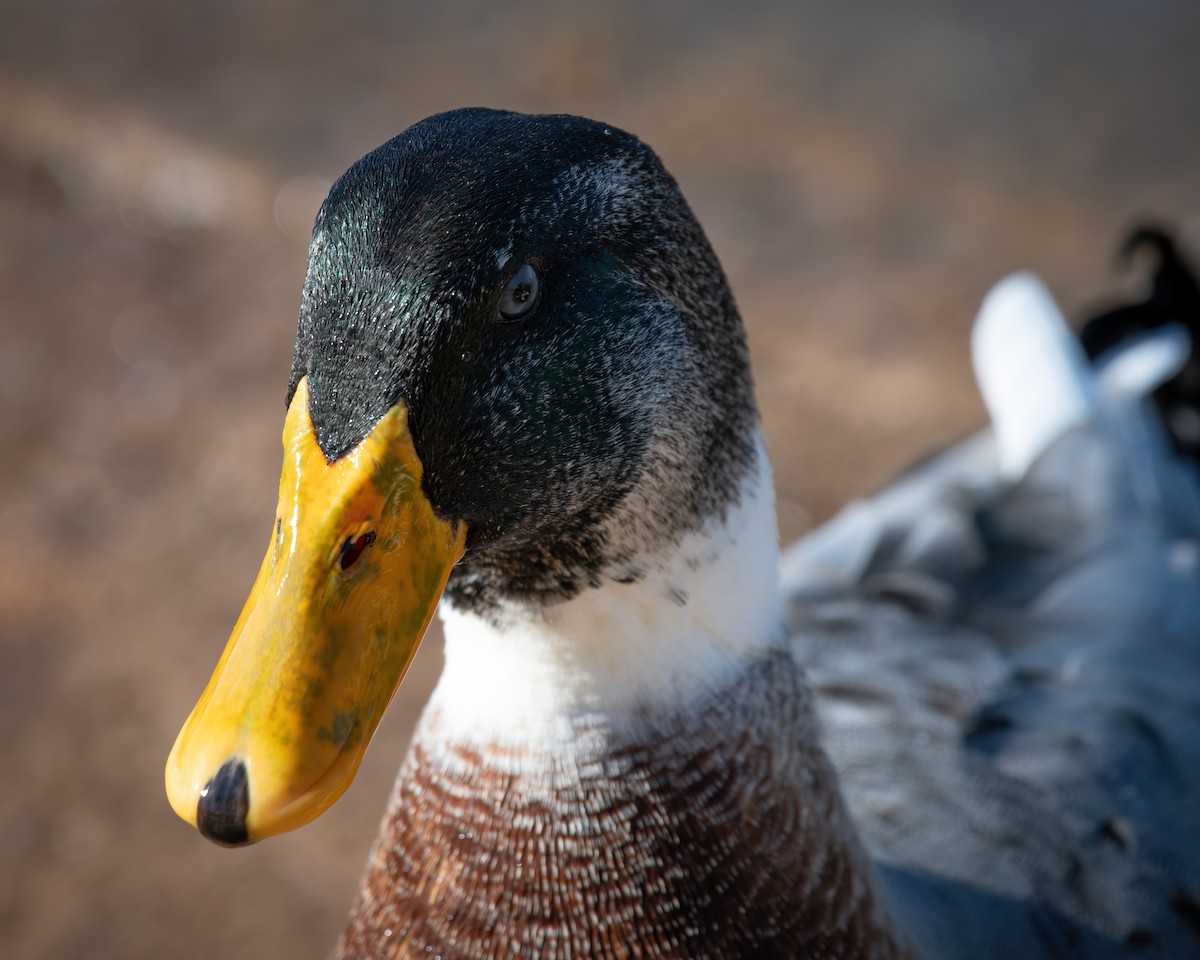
pixel 961 719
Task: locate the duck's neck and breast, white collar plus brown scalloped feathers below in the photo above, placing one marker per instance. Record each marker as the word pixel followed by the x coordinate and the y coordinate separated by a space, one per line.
pixel 634 773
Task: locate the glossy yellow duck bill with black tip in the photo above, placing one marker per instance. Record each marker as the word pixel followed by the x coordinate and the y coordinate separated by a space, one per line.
pixel 356 566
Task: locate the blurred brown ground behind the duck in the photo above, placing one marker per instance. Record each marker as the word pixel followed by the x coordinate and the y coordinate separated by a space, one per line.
pixel 865 172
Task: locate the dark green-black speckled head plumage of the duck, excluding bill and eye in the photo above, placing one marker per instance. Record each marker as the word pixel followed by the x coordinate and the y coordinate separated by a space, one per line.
pixel 613 421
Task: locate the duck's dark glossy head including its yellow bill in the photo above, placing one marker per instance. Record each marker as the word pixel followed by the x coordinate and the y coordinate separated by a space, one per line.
pixel 519 373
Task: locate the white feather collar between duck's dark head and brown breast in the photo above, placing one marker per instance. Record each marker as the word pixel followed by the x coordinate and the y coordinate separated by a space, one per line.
pixel 700 613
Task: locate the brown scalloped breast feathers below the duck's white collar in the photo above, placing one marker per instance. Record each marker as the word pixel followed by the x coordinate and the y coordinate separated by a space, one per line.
pixel 716 833
